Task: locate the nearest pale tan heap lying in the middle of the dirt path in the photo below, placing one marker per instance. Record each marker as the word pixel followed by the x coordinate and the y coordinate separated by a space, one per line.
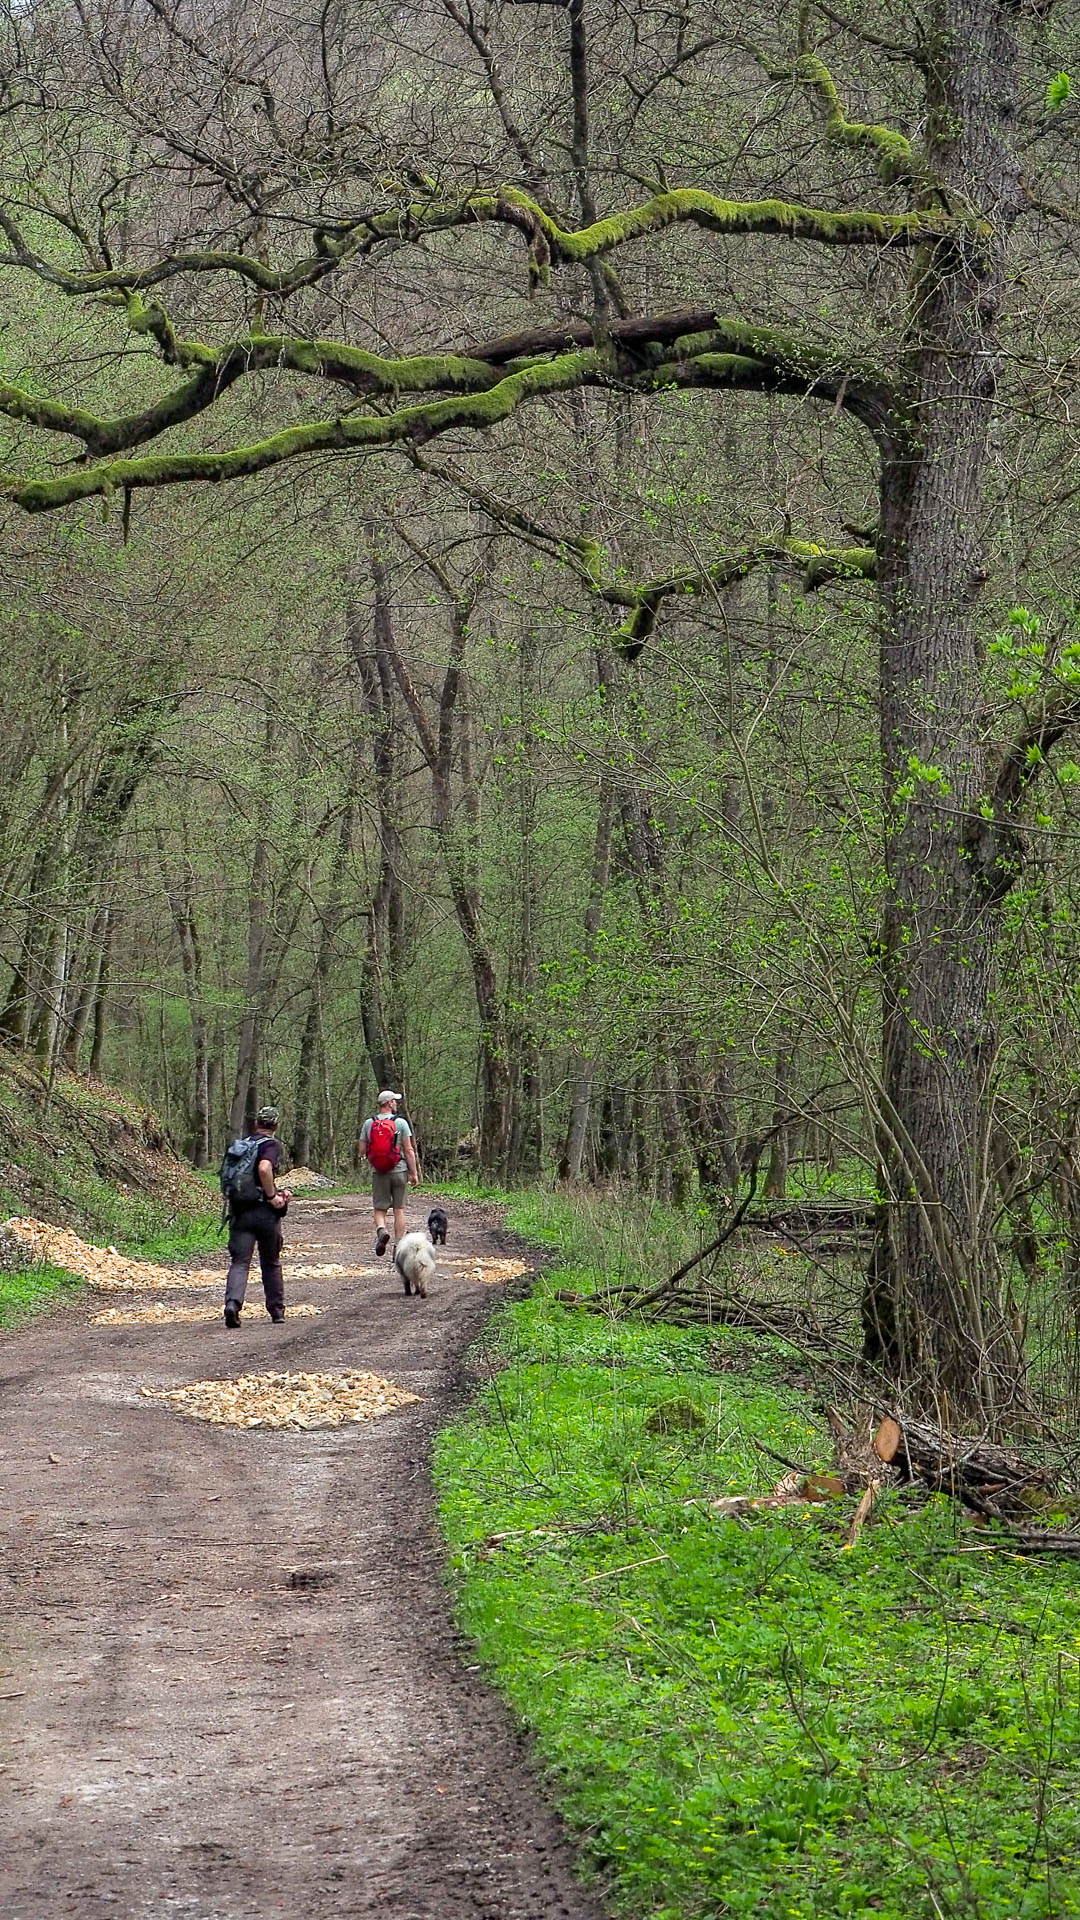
pixel 291 1401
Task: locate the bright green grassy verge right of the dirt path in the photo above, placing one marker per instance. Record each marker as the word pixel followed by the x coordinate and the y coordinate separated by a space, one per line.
pixel 750 1719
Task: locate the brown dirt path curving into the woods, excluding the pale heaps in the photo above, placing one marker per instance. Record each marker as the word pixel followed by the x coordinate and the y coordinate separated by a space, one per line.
pixel 187 1729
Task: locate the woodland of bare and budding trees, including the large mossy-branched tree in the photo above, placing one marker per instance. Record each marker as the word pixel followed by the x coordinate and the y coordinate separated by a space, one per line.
pixel 541 567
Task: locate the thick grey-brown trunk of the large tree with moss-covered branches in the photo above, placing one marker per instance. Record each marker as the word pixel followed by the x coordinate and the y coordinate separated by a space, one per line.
pixel 933 1307
